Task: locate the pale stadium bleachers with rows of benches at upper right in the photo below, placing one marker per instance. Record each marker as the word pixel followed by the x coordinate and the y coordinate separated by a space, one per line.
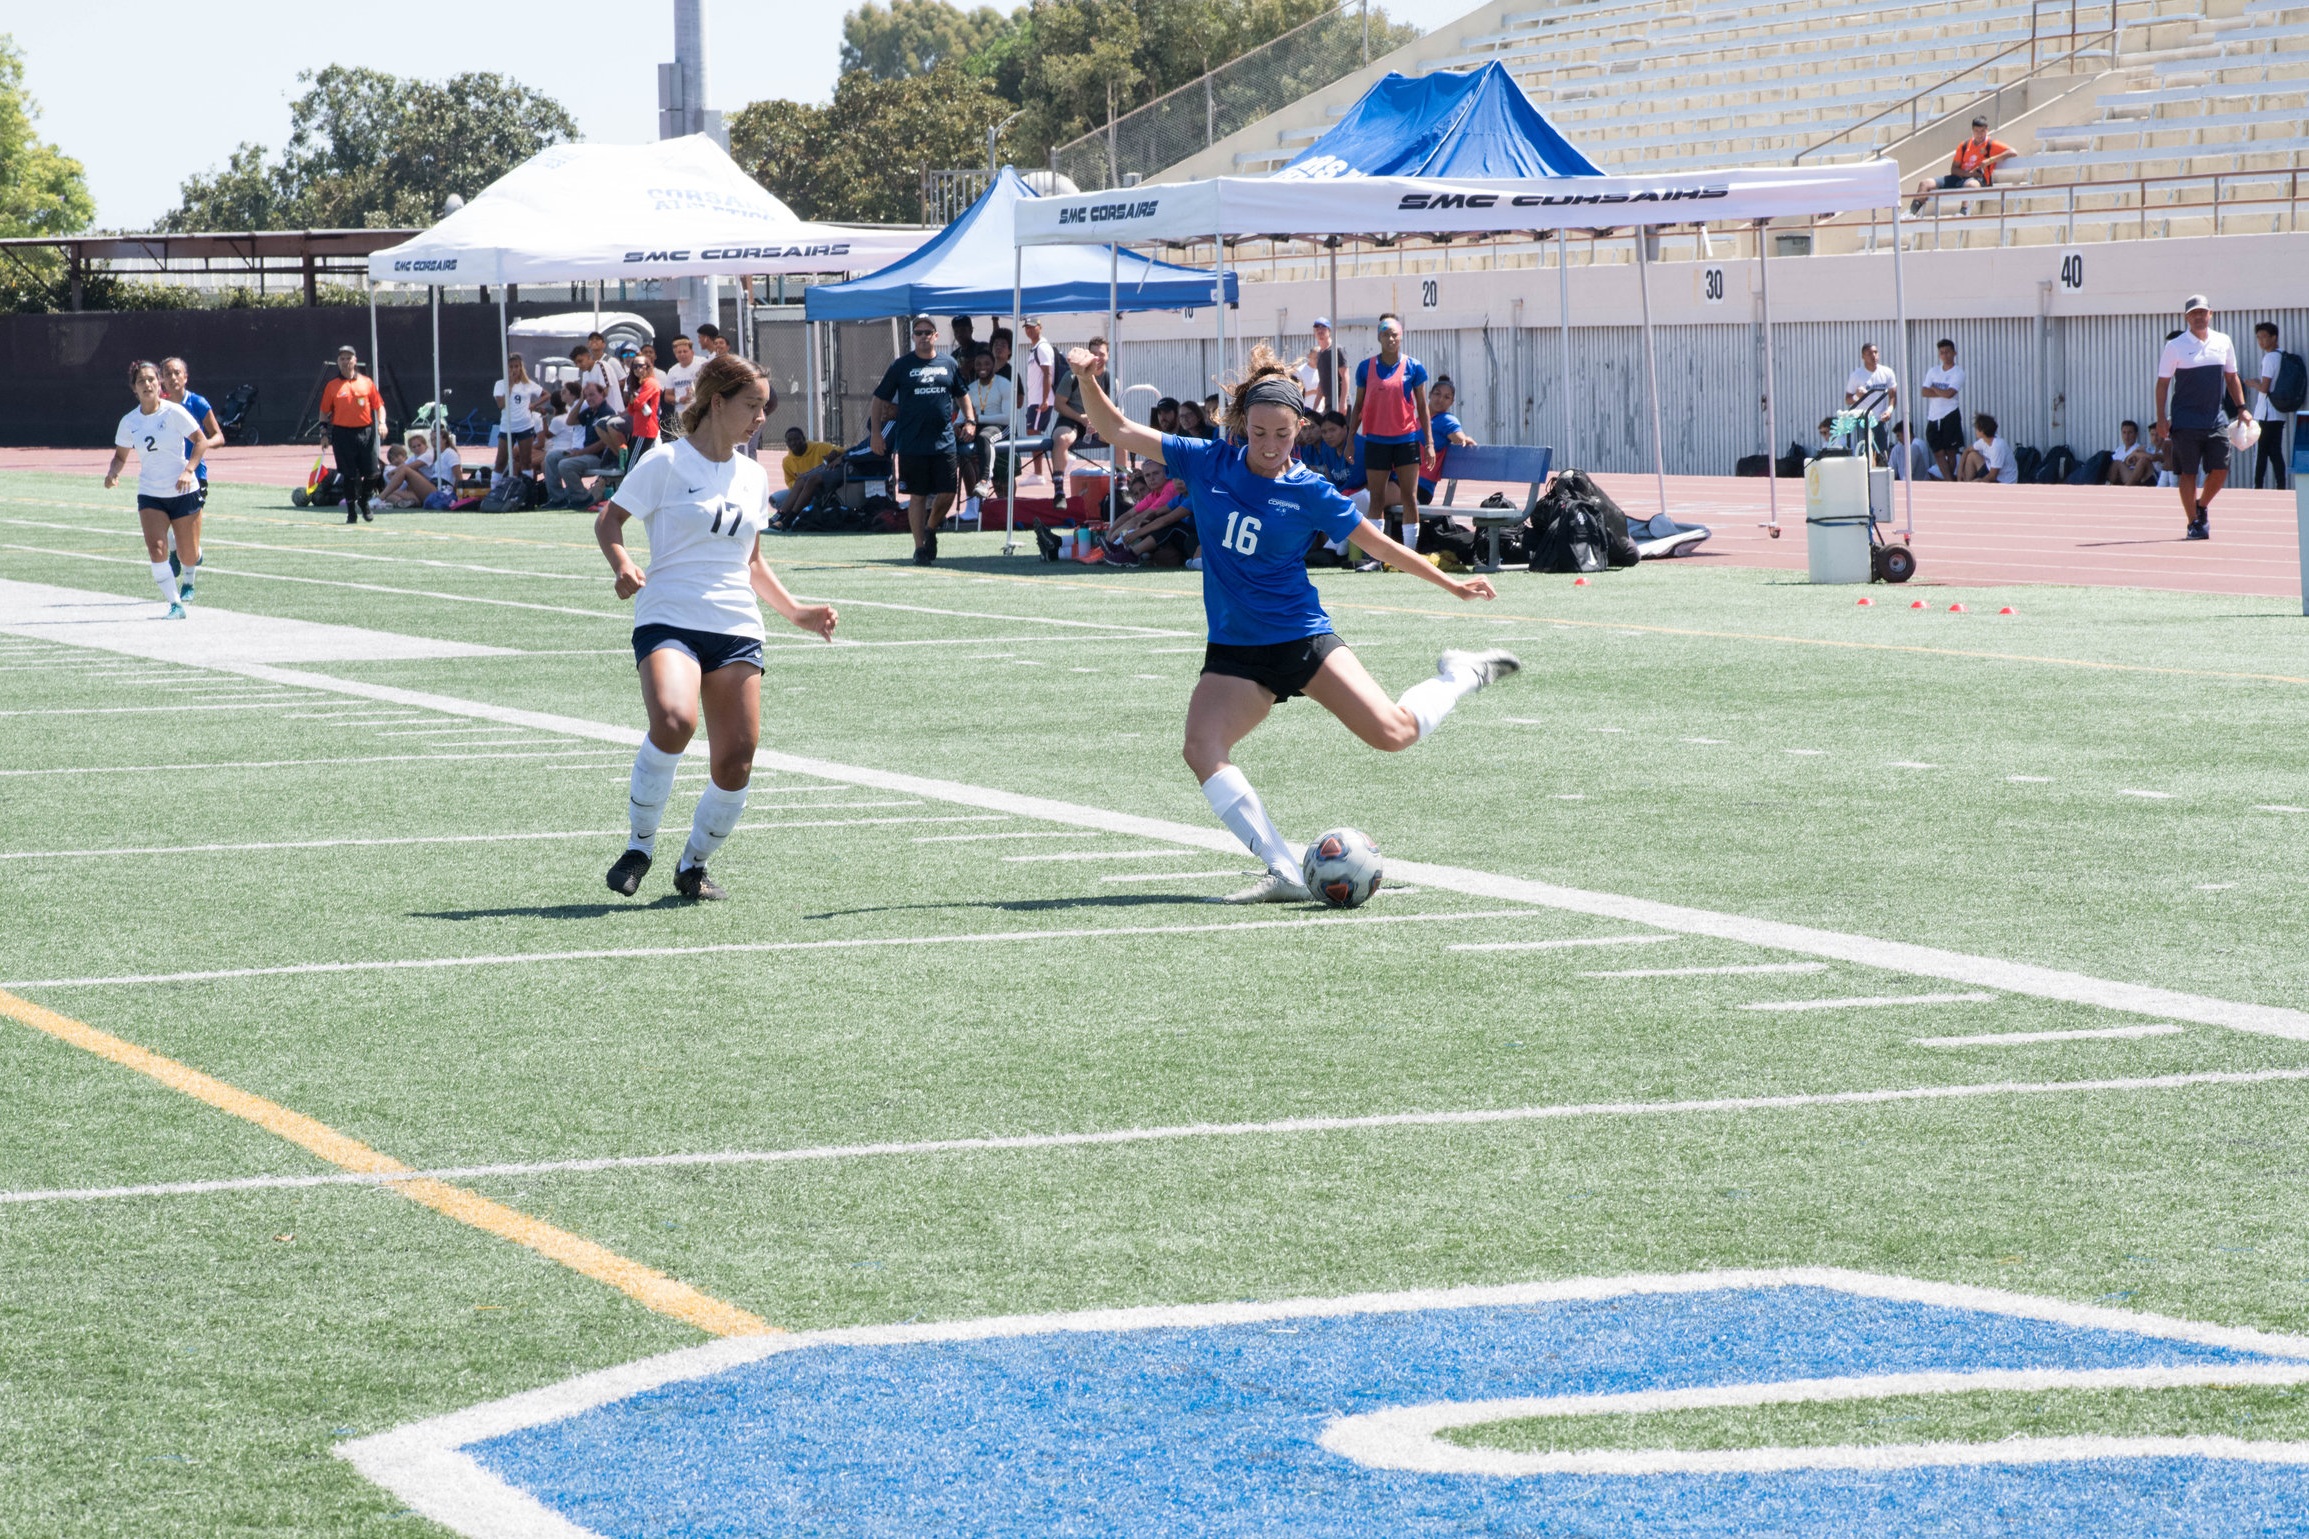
pixel 2130 117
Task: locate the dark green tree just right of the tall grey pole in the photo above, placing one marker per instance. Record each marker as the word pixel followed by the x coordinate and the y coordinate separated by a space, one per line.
pixel 862 156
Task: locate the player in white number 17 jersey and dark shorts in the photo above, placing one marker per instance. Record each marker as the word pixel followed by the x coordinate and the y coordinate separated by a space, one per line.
pixel 696 624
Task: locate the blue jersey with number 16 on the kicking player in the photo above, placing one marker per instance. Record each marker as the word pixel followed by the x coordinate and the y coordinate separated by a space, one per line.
pixel 1255 534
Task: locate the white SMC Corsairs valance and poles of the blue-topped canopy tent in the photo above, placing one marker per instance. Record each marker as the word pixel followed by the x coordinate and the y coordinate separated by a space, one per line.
pixel 1283 209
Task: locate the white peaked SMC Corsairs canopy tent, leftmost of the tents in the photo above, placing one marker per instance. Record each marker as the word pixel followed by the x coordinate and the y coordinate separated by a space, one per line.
pixel 604 213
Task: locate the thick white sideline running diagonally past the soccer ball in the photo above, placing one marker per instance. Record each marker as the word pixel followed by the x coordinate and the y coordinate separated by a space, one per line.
pixel 1768 933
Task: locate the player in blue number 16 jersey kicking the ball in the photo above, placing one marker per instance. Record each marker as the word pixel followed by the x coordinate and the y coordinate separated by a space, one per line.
pixel 1257 513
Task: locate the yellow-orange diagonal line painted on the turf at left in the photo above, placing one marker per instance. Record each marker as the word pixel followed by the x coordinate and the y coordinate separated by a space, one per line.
pixel 641 1284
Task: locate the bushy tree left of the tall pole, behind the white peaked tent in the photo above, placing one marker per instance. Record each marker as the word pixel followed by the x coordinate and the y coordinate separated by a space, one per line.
pixel 373 151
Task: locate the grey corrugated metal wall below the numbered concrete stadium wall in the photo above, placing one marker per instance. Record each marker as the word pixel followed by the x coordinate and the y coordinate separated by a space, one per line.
pixel 2065 380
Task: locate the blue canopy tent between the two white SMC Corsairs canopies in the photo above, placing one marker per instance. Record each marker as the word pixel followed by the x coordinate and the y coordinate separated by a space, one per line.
pixel 962 273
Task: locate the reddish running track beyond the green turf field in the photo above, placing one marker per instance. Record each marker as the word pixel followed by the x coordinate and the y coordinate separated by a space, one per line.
pixel 1975 536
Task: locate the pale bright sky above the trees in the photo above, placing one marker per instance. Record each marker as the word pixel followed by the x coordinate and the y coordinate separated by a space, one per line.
pixel 232 75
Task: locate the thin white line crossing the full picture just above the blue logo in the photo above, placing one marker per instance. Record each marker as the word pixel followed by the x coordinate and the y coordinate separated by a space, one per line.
pixel 1283 1127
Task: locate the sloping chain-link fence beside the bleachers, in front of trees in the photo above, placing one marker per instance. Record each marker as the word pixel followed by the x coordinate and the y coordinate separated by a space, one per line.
pixel 1232 98
